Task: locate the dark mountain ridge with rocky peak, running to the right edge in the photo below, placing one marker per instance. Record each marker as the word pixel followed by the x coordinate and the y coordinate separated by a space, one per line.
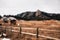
pixel 37 15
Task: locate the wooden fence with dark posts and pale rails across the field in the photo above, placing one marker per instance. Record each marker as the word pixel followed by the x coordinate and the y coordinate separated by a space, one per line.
pixel 37 32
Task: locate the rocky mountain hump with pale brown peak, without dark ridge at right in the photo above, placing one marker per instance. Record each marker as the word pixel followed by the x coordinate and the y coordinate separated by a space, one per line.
pixel 38 15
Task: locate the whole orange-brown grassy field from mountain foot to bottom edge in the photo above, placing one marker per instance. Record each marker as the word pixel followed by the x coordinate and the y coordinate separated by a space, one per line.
pixel 47 28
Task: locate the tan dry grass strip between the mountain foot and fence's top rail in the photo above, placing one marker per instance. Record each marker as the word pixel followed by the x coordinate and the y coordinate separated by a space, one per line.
pixel 49 24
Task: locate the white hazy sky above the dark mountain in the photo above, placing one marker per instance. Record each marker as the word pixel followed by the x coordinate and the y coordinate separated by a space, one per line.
pixel 13 7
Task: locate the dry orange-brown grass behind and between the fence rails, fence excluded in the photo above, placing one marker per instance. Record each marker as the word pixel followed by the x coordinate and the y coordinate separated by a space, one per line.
pixel 46 24
